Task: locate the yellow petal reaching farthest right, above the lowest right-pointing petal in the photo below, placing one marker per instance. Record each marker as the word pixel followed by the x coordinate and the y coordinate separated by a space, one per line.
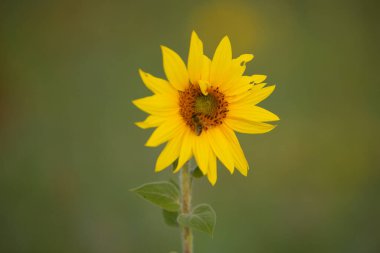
pixel 251 113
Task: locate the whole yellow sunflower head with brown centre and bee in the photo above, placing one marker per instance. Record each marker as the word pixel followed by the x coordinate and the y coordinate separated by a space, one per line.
pixel 199 108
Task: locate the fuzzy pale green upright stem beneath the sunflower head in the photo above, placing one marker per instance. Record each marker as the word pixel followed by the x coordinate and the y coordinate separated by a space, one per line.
pixel 185 182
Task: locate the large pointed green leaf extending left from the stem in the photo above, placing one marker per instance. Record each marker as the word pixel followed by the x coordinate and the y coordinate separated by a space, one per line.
pixel 162 194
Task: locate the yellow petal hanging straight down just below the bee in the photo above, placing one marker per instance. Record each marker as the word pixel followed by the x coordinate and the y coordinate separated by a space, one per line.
pixel 201 153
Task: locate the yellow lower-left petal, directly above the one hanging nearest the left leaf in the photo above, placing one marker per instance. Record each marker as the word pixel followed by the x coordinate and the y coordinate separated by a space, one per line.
pixel 166 131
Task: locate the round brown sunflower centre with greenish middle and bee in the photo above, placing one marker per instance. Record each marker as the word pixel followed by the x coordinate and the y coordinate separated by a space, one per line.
pixel 200 111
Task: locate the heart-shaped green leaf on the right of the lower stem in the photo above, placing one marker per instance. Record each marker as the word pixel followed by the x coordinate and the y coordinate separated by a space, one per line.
pixel 202 218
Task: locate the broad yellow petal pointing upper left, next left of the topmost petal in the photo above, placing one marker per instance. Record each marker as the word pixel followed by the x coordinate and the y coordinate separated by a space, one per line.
pixel 175 69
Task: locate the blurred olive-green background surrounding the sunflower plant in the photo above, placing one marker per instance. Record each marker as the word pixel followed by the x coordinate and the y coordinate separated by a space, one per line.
pixel 69 151
